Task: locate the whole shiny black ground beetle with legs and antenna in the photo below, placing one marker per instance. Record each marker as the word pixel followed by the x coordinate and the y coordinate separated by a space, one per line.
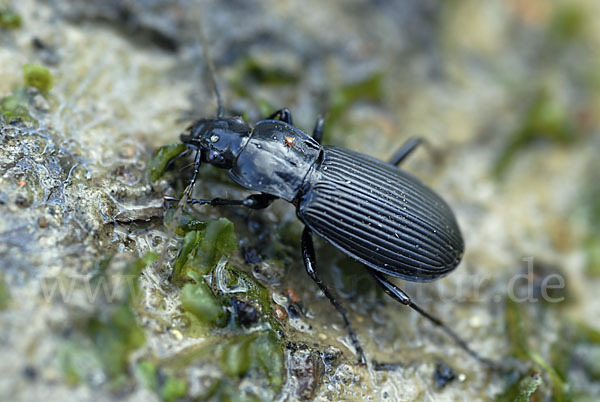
pixel 370 210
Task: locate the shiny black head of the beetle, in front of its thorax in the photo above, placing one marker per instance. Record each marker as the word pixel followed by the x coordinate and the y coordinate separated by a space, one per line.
pixel 219 140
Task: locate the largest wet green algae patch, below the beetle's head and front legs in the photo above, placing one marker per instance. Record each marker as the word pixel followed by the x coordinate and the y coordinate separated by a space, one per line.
pixel 256 354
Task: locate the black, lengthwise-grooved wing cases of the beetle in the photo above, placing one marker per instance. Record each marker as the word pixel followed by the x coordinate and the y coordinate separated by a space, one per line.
pixel 380 216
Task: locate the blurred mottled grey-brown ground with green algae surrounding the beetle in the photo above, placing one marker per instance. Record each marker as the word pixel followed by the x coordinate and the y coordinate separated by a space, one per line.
pixel 506 94
